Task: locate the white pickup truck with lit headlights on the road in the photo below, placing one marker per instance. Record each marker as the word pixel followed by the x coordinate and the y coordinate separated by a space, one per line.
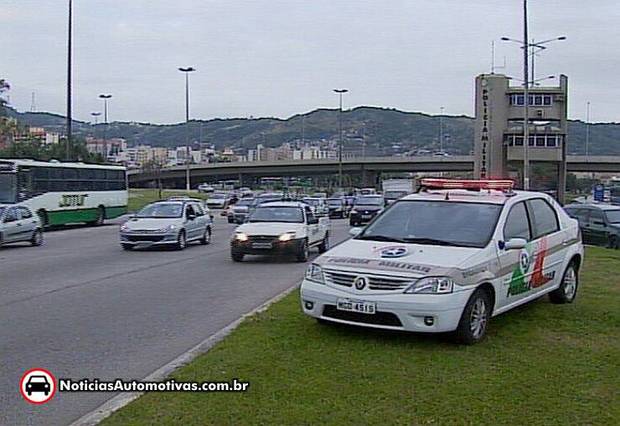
pixel 281 228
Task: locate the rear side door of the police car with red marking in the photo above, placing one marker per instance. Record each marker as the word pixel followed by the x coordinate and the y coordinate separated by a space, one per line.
pixel 548 250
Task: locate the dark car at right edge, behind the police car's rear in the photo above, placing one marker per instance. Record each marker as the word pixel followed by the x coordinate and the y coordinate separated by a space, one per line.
pixel 599 223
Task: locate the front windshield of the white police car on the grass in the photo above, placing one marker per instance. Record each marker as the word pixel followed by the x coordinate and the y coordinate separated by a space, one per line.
pixel 449 223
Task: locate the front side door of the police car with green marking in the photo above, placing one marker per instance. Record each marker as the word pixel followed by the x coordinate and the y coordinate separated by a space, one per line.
pixel 515 263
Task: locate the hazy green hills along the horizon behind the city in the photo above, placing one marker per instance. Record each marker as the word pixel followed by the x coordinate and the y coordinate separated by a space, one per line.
pixel 381 128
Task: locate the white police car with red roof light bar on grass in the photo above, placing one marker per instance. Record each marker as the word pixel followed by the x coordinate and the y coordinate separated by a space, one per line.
pixel 448 259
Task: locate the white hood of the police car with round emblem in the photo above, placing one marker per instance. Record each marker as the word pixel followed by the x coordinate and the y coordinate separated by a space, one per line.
pixel 400 259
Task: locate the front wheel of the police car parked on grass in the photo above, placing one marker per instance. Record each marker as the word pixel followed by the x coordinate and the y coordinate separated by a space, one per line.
pixel 475 318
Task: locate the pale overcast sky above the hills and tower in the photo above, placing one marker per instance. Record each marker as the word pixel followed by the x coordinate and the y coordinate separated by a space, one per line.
pixel 283 57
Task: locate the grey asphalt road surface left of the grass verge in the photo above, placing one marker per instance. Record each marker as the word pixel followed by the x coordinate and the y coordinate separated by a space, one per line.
pixel 81 307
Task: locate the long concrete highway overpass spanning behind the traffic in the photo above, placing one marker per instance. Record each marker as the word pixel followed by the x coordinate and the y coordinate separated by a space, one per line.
pixel 369 168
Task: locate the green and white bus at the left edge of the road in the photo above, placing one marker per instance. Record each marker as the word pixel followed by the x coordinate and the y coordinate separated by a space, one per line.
pixel 63 193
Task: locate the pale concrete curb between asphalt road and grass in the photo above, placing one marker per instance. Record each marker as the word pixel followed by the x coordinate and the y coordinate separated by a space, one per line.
pixel 121 400
